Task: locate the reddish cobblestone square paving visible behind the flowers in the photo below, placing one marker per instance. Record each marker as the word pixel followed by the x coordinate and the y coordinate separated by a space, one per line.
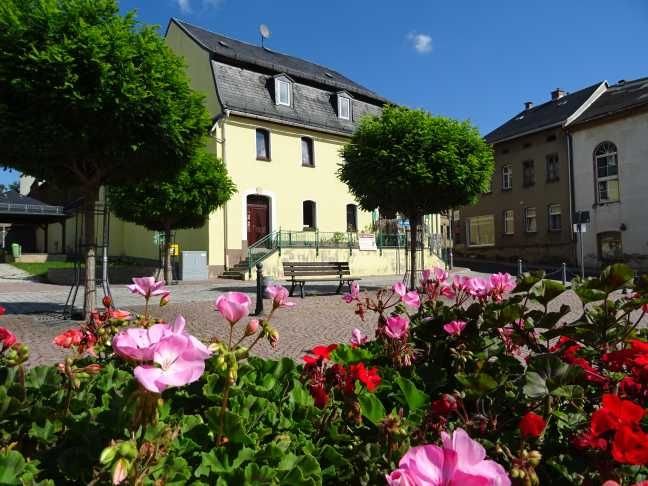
pixel 34 314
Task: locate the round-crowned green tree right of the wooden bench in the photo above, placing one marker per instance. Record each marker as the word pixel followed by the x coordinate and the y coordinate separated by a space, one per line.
pixel 413 163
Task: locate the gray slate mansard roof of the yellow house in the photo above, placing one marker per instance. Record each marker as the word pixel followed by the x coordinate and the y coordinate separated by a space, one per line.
pixel 244 81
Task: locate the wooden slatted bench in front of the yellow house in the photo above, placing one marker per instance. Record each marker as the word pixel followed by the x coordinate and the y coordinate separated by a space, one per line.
pixel 301 272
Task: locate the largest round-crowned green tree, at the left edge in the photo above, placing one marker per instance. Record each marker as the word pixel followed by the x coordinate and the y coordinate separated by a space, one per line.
pixel 90 97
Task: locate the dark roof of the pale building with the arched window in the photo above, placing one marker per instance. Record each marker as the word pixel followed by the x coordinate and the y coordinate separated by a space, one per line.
pixel 617 98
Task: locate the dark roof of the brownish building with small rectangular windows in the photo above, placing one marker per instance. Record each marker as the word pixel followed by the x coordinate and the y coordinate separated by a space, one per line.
pixel 547 114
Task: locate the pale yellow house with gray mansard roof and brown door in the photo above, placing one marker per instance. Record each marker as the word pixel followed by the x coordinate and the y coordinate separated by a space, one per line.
pixel 279 123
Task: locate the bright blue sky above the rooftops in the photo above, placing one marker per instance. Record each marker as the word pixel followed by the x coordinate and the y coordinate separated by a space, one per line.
pixel 466 59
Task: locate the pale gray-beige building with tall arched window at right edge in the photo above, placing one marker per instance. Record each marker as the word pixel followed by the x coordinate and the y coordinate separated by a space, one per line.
pixel 610 141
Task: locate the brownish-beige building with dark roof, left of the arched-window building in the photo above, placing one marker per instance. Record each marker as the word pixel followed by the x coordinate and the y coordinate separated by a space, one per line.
pixel 528 212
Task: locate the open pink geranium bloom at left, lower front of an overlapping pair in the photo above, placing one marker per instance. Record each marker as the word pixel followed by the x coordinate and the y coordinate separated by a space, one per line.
pixel 177 365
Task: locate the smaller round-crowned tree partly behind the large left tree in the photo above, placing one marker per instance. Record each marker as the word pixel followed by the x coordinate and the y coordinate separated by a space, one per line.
pixel 184 201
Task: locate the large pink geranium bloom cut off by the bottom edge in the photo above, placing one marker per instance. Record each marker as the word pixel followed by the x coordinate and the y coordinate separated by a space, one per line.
pixel 460 460
